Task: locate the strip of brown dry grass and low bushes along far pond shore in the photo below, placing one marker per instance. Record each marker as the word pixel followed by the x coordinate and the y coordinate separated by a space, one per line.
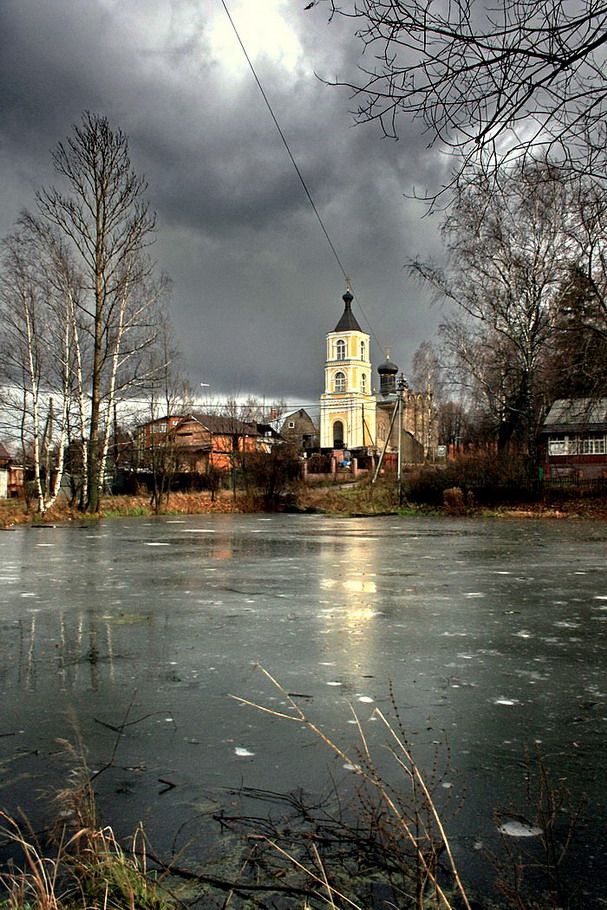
pixel 426 492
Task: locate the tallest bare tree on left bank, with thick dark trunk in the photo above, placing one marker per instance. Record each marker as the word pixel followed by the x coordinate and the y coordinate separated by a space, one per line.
pixel 103 216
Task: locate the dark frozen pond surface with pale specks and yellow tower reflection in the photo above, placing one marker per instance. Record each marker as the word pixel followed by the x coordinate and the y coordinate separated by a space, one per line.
pixel 492 634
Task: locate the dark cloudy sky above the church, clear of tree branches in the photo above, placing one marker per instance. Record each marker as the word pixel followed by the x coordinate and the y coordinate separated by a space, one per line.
pixel 255 284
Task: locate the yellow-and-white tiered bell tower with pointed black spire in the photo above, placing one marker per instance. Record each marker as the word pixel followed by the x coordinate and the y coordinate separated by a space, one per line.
pixel 347 407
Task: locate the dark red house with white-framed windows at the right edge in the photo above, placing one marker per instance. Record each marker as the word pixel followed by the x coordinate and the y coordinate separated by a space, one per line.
pixel 573 439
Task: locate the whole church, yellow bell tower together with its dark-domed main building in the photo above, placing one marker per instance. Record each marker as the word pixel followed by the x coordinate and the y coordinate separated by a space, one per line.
pixel 355 419
